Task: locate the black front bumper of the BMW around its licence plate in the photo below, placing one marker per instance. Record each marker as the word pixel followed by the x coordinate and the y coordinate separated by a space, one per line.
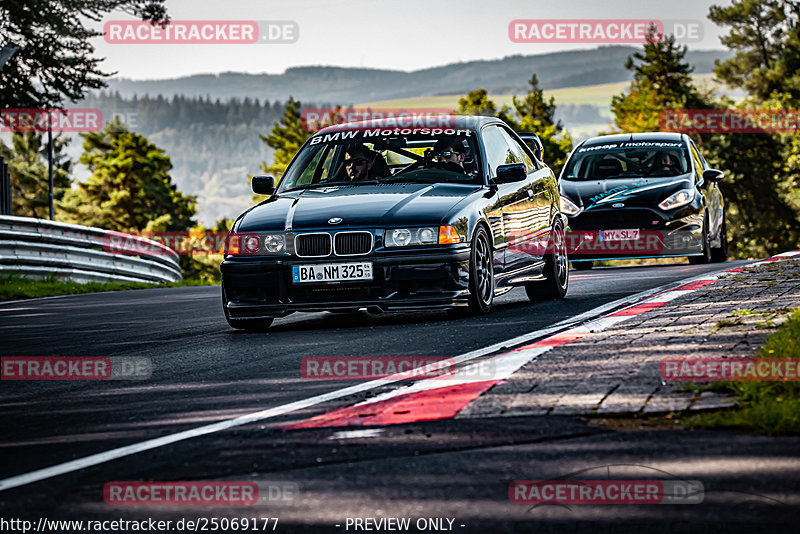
pixel 260 287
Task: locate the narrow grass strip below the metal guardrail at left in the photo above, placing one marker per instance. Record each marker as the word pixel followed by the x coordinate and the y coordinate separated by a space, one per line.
pixel 14 287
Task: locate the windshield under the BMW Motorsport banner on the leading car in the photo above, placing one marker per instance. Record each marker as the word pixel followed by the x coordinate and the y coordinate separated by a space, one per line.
pixel 369 156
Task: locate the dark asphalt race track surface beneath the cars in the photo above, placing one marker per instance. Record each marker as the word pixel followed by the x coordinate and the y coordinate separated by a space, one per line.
pixel 204 372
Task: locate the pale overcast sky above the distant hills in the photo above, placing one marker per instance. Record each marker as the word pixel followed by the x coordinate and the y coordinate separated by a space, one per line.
pixel 390 34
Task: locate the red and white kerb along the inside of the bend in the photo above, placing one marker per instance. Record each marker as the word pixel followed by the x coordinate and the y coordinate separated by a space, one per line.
pixel 443 397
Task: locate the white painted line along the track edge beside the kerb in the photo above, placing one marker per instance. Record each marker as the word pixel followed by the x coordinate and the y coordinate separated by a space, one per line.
pixel 128 450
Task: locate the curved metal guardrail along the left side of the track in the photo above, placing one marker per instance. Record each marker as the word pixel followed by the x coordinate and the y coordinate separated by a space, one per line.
pixel 37 248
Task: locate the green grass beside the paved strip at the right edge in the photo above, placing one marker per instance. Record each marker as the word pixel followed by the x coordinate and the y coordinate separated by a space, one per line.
pixel 764 407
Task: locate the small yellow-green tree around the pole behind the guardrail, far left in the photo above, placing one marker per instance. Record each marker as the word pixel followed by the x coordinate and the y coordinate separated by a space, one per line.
pixel 27 167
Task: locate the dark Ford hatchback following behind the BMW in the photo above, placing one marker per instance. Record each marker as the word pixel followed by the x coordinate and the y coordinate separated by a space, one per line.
pixel 642 195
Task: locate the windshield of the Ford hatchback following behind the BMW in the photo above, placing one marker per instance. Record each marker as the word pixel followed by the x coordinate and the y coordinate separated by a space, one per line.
pixel 628 159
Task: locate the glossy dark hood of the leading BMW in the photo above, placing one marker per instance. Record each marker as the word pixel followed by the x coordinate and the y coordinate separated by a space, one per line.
pixel 357 206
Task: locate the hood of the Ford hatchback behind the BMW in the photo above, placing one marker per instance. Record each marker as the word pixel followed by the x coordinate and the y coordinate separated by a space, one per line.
pixel 642 192
